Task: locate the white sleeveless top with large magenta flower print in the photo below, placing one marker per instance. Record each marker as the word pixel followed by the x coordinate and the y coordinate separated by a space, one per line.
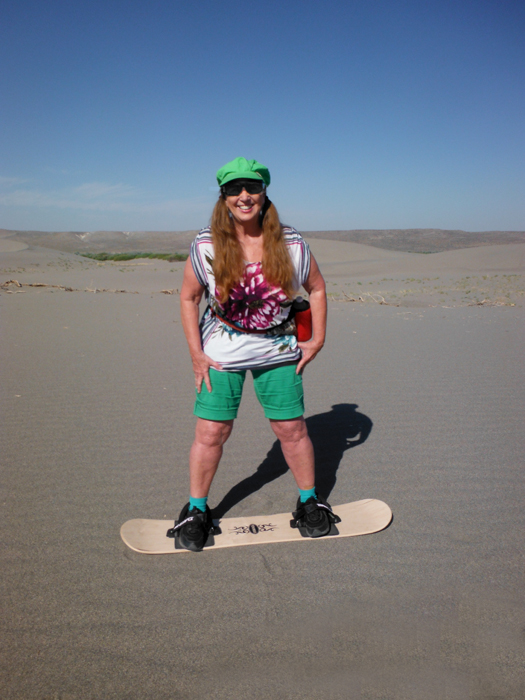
pixel 252 304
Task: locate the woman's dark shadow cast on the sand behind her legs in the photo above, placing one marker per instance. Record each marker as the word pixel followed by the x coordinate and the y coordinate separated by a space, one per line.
pixel 332 433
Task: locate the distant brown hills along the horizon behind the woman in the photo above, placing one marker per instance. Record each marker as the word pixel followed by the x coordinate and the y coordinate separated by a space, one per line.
pixel 427 240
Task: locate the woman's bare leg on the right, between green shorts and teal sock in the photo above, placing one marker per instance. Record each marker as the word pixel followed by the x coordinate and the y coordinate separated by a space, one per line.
pixel 297 449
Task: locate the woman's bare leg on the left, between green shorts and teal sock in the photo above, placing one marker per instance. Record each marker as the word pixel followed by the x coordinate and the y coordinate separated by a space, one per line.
pixel 206 453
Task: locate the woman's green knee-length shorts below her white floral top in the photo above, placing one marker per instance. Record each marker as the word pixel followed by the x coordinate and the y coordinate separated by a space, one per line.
pixel 279 390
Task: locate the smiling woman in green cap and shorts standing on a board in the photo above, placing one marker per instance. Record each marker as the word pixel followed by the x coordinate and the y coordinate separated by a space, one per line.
pixel 249 267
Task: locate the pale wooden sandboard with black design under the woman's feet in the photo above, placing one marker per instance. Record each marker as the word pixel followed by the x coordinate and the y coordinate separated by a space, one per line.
pixel 357 518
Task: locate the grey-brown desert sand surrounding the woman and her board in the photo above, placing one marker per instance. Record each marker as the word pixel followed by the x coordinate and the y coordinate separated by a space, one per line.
pixel 417 399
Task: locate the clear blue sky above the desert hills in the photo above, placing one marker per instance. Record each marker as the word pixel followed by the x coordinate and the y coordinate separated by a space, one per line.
pixel 369 113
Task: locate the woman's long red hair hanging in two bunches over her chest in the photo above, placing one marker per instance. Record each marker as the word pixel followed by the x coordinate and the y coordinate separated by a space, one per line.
pixel 228 263
